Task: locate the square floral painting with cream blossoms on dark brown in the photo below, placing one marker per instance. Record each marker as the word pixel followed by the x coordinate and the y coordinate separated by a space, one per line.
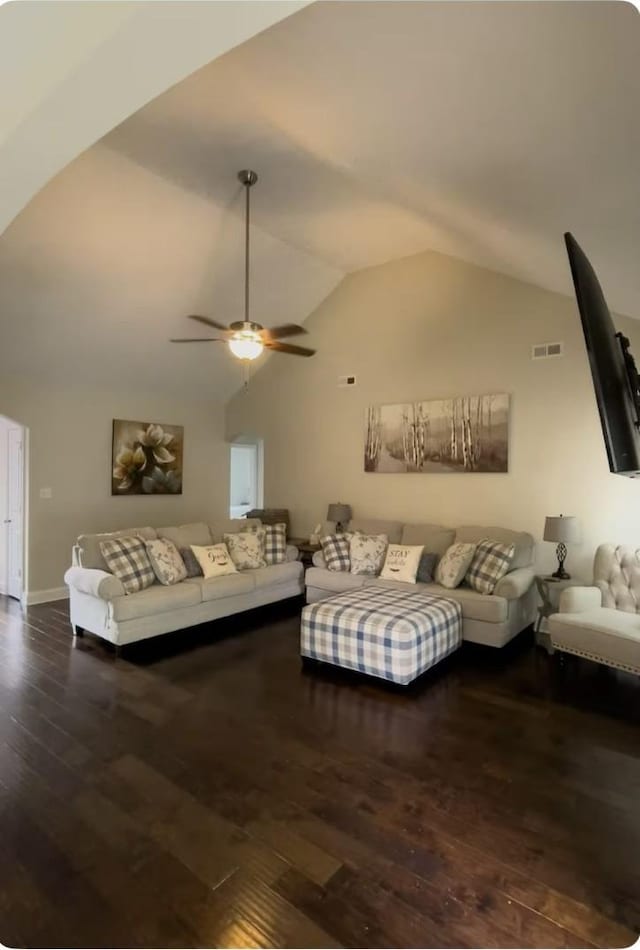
pixel 146 458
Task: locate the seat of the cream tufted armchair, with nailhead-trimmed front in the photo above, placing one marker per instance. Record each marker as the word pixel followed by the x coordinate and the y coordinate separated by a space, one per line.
pixel 601 632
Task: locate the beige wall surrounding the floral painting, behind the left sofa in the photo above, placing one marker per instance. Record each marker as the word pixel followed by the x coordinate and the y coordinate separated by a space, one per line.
pixel 69 437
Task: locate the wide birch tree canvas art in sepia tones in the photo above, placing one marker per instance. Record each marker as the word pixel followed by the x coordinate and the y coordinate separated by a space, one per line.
pixel 464 434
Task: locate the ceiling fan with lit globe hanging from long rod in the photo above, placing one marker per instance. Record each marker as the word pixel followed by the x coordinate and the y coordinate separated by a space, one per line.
pixel 246 339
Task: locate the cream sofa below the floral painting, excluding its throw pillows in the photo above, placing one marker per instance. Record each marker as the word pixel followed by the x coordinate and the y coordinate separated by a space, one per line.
pixel 98 602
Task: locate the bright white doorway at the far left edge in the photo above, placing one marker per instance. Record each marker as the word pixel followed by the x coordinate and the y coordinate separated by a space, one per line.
pixel 12 518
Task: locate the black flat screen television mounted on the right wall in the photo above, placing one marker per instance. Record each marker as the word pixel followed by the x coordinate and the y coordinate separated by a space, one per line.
pixel 613 369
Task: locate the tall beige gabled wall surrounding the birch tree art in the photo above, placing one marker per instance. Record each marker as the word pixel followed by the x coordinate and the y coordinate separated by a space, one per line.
pixel 432 326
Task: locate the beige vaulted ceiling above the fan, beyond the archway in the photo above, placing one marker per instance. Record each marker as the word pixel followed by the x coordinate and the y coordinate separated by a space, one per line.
pixel 481 130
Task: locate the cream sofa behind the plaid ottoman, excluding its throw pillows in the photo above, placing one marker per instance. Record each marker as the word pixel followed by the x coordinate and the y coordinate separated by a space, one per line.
pixel 492 620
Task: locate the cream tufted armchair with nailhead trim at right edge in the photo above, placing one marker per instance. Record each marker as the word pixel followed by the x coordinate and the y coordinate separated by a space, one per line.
pixel 602 622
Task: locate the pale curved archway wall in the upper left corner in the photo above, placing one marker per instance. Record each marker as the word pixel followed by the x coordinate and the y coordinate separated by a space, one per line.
pixel 64 66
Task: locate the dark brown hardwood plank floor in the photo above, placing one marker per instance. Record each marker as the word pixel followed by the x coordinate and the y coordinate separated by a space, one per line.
pixel 203 791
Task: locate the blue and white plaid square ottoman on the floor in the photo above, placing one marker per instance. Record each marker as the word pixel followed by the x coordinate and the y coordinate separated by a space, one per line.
pixel 393 634
